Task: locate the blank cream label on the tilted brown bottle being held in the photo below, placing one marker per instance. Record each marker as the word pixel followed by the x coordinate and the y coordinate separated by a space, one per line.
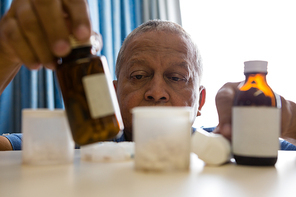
pixel 98 95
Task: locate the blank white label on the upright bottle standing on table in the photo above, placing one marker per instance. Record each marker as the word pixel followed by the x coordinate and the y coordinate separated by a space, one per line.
pixel 255 131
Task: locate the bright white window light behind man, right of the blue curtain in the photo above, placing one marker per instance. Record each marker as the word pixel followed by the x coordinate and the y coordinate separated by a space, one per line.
pixel 230 32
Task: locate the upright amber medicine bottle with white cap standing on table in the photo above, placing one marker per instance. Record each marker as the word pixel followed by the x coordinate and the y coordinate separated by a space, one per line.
pixel 255 118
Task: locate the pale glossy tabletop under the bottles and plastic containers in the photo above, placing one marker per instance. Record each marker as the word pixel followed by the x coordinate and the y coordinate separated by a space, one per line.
pixel 84 178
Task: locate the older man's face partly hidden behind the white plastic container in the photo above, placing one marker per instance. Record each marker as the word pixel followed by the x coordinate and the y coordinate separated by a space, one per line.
pixel 157 71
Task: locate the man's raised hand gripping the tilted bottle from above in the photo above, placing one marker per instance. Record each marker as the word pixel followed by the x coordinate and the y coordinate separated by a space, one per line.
pixel 33 32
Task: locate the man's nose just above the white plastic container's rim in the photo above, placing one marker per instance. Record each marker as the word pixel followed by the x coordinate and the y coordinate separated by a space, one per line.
pixel 157 90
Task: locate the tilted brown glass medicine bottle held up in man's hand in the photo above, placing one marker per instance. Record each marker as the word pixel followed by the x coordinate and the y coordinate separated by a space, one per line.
pixel 89 96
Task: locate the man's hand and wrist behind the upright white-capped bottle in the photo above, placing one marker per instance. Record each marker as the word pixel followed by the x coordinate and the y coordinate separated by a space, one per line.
pixel 224 101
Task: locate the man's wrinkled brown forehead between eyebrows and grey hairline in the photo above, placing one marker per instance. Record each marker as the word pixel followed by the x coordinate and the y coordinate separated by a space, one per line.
pixel 176 49
